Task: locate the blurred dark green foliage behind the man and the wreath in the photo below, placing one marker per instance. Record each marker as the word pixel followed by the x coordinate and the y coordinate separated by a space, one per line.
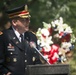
pixel 45 10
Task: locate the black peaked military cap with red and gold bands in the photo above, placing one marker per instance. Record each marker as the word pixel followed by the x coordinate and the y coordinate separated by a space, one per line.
pixel 21 11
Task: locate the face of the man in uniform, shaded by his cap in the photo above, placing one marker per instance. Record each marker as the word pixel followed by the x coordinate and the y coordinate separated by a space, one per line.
pixel 22 24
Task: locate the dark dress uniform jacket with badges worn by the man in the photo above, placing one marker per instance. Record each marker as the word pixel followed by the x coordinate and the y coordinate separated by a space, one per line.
pixel 13 56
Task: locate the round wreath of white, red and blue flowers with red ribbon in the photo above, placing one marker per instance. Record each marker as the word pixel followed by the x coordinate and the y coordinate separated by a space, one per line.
pixel 56 41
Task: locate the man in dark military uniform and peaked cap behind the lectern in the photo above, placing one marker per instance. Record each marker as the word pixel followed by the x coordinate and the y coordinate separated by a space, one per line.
pixel 15 50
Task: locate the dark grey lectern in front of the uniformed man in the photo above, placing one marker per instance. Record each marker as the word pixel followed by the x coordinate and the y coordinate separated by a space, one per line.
pixel 58 69
